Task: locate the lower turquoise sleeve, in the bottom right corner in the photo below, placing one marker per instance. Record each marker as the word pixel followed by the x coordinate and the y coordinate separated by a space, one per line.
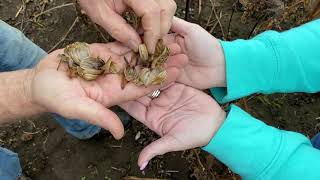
pixel 255 150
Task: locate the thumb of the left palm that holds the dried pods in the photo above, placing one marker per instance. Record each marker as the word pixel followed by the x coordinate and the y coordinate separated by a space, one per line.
pixel 95 113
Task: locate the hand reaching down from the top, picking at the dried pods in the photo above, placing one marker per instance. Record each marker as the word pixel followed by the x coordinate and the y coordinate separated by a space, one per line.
pixel 156 19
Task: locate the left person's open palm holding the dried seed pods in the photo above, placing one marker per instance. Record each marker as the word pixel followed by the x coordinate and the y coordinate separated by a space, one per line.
pixel 78 99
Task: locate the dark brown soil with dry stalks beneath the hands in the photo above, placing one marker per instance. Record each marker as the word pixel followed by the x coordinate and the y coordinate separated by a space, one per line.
pixel 47 152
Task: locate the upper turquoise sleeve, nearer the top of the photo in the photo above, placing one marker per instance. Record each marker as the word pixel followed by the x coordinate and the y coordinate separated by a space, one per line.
pixel 272 62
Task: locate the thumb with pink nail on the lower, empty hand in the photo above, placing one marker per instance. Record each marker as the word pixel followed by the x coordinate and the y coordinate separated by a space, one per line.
pixel 158 147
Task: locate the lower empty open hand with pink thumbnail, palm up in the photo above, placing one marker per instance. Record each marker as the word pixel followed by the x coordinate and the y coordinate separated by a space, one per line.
pixel 184 117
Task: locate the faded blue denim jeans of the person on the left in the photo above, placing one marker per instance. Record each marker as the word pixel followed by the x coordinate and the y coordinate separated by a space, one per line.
pixel 18 52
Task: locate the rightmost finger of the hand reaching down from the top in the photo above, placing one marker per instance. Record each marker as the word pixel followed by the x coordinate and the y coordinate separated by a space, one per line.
pixel 168 9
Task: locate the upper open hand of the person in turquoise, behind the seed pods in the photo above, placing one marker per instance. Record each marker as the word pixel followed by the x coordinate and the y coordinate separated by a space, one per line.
pixel 206 67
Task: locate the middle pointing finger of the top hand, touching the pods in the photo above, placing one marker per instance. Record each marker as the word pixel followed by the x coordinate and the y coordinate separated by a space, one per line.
pixel 150 13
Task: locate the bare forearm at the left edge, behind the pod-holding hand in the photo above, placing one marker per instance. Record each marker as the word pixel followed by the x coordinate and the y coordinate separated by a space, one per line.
pixel 15 93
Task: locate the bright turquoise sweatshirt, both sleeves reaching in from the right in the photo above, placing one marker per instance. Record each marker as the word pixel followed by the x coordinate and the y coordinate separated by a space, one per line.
pixel 271 62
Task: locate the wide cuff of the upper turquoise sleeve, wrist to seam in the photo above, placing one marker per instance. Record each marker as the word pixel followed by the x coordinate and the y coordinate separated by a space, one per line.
pixel 251 67
